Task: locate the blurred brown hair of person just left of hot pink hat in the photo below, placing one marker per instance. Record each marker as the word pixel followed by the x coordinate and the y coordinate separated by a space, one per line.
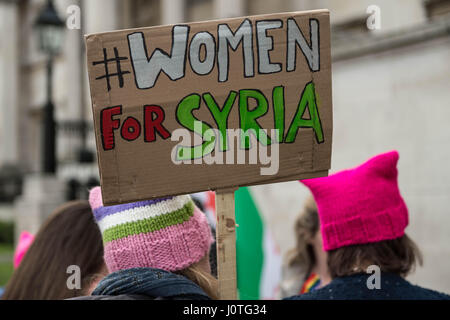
pixel 306 227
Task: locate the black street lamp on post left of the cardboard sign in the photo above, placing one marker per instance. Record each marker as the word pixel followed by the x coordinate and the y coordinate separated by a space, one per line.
pixel 50 32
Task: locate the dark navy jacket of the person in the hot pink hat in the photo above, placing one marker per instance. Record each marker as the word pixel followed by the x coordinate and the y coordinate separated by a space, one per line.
pixel 393 287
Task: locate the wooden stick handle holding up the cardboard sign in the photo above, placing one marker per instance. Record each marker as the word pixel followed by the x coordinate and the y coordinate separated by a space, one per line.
pixel 226 244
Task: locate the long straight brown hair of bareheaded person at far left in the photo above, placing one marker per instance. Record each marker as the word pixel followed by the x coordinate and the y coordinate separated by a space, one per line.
pixel 70 236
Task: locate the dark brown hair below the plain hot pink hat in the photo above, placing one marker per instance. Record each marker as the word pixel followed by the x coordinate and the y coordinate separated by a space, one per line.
pixel 398 256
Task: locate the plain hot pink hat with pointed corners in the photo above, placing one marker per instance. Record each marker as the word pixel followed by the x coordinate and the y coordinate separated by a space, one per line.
pixel 360 205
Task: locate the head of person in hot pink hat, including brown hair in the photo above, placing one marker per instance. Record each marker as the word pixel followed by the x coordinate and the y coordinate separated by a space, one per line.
pixel 364 218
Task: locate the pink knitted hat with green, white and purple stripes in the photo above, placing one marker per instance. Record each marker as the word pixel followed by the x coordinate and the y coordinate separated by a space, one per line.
pixel 168 233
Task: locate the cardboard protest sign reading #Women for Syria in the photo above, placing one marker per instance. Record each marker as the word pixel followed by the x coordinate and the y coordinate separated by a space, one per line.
pixel 211 105
